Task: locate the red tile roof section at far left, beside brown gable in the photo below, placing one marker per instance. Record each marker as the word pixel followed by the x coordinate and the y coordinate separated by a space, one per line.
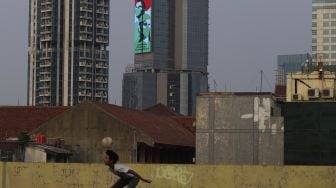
pixel 14 120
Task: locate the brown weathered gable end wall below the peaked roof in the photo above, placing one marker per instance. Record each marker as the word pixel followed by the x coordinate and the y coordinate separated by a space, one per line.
pixel 84 127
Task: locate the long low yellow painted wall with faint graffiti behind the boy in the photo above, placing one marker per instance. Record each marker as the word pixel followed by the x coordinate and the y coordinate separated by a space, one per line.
pixel 30 175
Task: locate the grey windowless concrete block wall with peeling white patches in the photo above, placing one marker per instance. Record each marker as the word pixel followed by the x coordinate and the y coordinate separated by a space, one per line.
pixel 238 129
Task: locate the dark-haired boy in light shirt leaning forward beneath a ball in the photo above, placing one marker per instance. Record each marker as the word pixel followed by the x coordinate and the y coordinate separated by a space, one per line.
pixel 127 176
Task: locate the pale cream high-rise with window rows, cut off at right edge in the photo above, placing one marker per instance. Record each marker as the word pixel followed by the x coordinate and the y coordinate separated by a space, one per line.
pixel 324 31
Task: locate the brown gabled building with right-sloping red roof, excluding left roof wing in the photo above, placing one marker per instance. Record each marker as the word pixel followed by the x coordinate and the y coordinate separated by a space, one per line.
pixel 150 136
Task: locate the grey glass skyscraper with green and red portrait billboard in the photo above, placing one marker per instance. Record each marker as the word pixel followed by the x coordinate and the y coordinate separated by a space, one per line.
pixel 171 55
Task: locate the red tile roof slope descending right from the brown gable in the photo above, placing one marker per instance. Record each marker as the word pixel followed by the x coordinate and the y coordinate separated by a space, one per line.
pixel 163 129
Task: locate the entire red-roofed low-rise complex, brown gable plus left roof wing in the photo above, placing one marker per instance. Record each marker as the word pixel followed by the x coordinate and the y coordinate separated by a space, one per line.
pixel 155 135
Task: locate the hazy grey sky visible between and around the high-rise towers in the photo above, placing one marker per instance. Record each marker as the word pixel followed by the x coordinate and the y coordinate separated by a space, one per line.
pixel 245 37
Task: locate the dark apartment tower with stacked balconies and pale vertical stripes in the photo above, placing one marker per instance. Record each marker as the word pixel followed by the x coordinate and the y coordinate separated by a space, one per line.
pixel 68 52
